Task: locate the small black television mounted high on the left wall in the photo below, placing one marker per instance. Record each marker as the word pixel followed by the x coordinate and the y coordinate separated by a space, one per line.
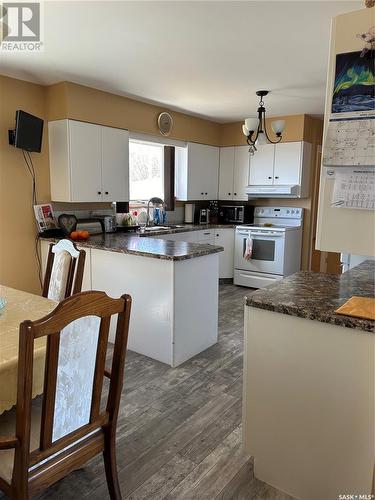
pixel 29 131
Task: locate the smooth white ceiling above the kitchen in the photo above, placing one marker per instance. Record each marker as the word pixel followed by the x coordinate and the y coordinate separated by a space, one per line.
pixel 205 58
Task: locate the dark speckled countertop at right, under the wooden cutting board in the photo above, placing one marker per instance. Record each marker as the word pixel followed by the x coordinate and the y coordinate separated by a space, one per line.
pixel 316 296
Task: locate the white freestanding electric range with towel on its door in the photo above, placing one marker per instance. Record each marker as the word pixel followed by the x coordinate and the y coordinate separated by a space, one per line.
pixel 270 248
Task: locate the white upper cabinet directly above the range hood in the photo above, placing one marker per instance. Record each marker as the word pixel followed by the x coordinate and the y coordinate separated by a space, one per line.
pixel 282 164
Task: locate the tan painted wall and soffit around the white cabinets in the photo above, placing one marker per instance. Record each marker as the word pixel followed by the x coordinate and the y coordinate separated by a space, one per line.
pixel 68 100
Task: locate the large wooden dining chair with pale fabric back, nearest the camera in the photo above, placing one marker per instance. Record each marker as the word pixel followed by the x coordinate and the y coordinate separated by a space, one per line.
pixel 71 428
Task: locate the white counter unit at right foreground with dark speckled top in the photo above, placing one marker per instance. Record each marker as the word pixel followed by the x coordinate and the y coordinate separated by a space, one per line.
pixel 309 385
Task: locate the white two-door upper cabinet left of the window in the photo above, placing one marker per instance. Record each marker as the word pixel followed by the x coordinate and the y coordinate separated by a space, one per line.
pixel 88 162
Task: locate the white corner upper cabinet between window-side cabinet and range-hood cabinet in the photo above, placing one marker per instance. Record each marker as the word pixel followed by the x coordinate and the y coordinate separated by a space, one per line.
pixel 234 173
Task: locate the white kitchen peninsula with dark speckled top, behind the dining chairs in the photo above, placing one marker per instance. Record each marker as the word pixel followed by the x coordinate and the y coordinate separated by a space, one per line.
pixel 174 286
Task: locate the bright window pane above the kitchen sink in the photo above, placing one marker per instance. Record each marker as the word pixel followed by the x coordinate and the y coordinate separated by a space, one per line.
pixel 146 170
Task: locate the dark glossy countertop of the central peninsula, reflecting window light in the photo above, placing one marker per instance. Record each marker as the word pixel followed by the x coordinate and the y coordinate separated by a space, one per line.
pixel 146 247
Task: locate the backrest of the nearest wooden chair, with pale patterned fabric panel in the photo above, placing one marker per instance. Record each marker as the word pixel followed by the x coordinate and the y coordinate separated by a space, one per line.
pixel 76 334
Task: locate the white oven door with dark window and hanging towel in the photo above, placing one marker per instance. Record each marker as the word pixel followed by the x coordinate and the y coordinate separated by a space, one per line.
pixel 267 251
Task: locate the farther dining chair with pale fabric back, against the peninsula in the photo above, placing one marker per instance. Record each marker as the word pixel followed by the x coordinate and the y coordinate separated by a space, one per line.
pixel 64 271
